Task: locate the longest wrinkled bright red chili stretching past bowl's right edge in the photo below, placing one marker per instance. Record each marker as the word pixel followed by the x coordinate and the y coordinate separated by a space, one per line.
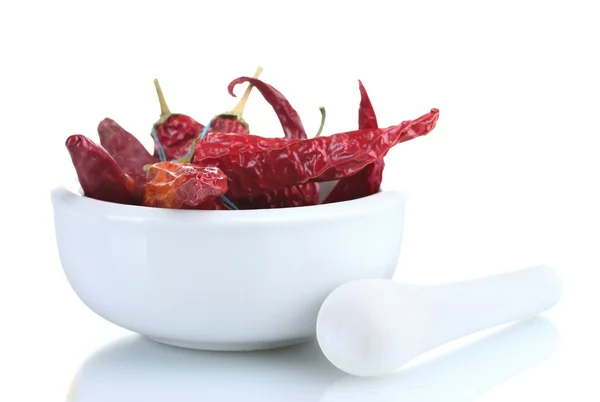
pixel 256 164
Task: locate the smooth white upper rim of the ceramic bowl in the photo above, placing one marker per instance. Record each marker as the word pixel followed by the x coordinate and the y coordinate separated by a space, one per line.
pixel 71 196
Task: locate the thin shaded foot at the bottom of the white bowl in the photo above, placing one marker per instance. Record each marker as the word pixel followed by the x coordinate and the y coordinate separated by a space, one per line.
pixel 231 346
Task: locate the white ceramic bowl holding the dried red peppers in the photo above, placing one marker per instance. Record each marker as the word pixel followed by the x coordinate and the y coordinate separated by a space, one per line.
pixel 222 280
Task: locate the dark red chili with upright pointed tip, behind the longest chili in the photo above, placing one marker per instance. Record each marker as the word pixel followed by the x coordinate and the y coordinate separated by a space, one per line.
pixel 368 180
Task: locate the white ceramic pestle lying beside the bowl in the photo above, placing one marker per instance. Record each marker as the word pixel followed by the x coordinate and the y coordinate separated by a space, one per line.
pixel 370 327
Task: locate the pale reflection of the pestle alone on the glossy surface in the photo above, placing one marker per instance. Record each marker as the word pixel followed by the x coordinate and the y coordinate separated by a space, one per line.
pixel 461 375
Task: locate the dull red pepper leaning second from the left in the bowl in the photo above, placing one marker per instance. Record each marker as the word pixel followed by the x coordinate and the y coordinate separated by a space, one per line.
pixel 127 150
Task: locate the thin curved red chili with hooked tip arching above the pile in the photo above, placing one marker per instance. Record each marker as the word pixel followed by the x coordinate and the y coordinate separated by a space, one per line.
pixel 288 117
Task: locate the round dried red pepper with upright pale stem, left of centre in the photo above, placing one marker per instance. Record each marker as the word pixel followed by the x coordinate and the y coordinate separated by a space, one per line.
pixel 173 134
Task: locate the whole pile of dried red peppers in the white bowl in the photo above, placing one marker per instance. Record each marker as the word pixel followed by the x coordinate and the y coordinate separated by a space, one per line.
pixel 221 165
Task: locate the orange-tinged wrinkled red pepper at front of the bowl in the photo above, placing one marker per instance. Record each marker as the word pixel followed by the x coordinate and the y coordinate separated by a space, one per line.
pixel 183 186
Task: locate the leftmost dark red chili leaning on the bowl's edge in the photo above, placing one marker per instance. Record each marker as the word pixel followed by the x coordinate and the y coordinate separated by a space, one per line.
pixel 99 174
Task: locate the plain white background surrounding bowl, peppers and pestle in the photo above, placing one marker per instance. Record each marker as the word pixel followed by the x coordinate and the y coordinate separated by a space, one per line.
pixel 509 178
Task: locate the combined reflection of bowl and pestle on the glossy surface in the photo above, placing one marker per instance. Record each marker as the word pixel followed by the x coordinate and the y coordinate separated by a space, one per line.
pixel 136 369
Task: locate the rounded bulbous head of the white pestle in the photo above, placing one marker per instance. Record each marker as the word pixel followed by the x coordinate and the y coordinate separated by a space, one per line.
pixel 371 327
